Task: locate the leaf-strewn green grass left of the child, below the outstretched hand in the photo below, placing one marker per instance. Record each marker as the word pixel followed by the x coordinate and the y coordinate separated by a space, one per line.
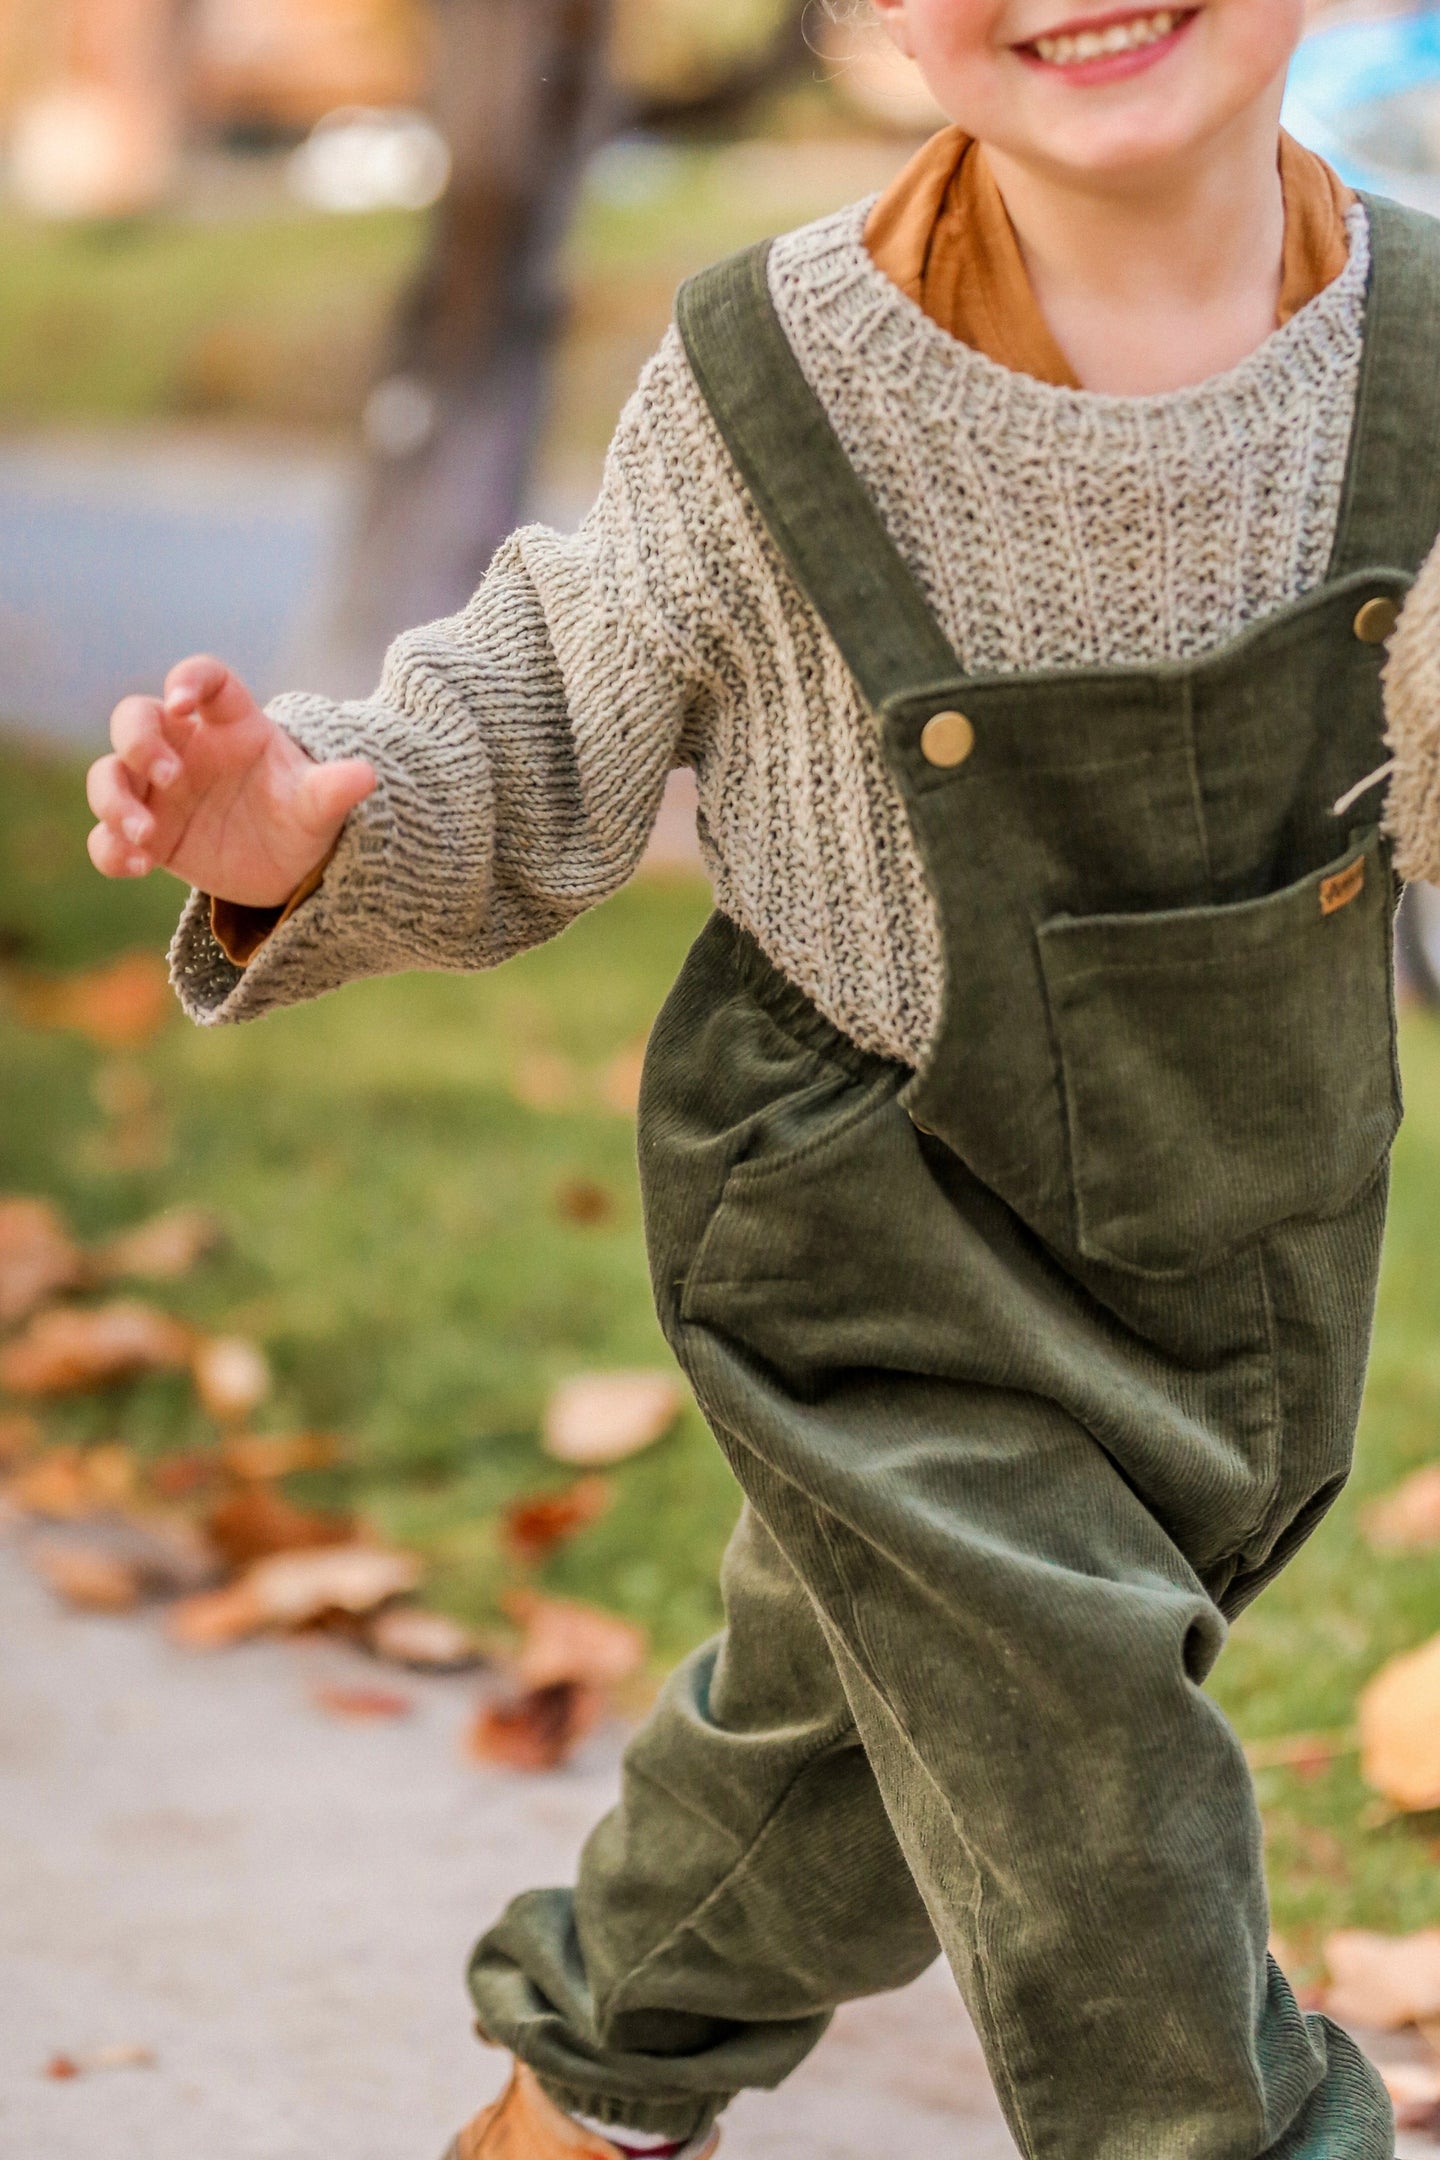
pixel 396 1228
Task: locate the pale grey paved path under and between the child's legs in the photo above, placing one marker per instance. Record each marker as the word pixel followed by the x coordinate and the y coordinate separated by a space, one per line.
pixel 198 1861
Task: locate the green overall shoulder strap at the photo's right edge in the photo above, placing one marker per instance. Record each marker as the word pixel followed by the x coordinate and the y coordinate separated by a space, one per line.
pixel 1391 504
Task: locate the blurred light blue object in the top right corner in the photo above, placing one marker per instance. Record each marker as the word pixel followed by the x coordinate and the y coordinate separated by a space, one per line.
pixel 1366 94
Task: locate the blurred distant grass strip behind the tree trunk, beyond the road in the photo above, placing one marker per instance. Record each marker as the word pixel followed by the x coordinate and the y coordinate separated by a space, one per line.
pixel 282 319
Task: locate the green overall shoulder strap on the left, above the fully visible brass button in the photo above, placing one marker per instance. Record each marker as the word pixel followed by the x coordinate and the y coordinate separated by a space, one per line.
pixel 806 489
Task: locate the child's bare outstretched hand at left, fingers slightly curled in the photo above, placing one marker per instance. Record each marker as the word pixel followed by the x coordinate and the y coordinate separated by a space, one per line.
pixel 208 787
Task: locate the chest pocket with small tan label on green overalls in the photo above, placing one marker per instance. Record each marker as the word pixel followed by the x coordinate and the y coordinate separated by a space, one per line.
pixel 1225 1070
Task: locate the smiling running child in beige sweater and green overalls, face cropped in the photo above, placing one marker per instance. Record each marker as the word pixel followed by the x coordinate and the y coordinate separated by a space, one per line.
pixel 1014 563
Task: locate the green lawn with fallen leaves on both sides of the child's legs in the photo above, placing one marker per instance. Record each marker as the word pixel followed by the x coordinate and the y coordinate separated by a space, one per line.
pixel 398 1247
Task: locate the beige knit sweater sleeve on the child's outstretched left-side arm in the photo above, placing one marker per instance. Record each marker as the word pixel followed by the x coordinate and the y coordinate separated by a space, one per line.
pixel 521 748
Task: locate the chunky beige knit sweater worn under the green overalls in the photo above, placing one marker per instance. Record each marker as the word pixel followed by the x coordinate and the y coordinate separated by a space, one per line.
pixel 524 744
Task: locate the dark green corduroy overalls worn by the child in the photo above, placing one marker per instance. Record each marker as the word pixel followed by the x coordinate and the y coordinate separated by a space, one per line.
pixel 1035 1366
